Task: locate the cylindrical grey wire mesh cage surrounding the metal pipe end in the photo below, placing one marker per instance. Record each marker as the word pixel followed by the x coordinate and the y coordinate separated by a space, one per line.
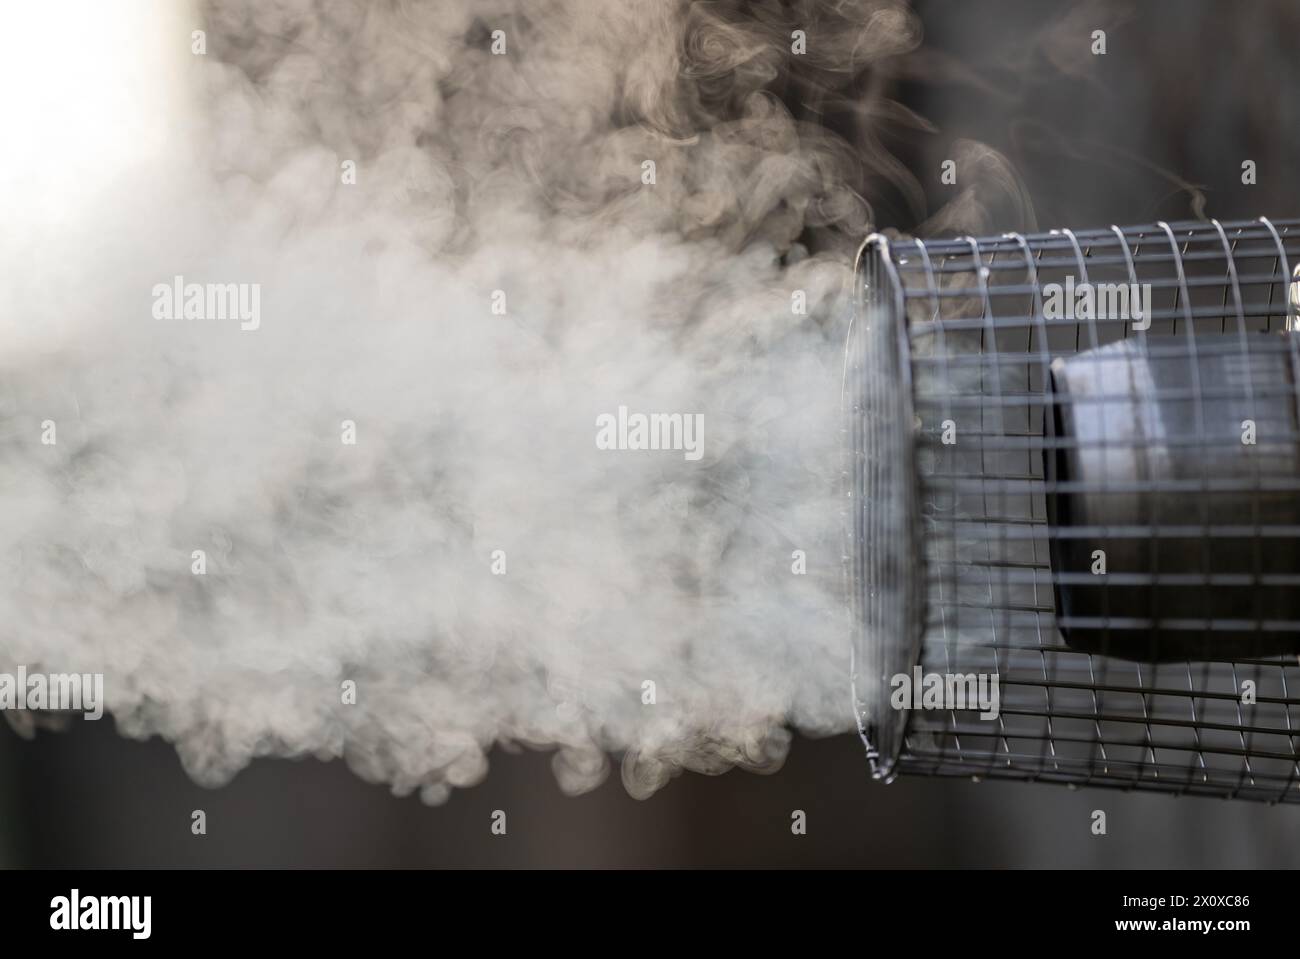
pixel 1073 468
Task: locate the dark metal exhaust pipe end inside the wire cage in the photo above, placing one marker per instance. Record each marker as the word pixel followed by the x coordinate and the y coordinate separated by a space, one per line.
pixel 1173 481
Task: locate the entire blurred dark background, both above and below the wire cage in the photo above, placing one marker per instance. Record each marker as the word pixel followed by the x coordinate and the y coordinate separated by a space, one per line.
pixel 1159 128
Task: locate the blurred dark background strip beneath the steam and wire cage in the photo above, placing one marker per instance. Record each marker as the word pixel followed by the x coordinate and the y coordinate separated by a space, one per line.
pixel 90 799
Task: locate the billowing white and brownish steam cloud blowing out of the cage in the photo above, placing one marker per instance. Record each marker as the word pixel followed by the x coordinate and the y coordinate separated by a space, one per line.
pixel 514 180
